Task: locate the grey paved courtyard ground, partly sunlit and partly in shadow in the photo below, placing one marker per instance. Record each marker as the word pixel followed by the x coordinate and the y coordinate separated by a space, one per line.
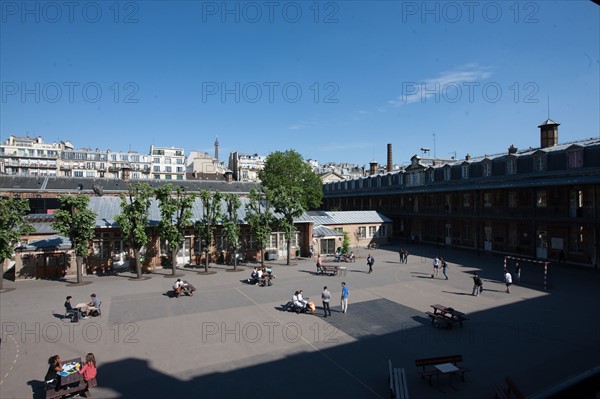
pixel 231 340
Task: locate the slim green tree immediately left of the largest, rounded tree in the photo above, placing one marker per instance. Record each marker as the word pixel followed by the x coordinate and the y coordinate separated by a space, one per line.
pixel 259 217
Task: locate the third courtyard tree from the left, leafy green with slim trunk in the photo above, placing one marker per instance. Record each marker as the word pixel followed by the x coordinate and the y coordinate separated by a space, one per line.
pixel 134 219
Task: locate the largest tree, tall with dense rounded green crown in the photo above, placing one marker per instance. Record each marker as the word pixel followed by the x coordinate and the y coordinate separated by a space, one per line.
pixel 293 188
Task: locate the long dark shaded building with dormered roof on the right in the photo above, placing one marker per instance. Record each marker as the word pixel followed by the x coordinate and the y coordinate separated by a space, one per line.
pixel 541 203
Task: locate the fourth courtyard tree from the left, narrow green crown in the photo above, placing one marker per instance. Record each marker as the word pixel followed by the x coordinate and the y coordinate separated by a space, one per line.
pixel 176 214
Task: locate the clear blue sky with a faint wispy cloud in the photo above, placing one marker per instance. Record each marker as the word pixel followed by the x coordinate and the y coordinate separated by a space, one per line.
pixel 336 81
